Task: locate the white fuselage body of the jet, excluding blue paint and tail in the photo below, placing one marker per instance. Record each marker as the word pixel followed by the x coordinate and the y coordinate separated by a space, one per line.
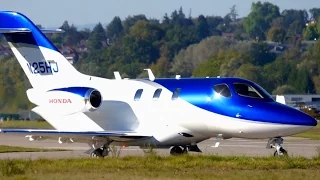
pixel 165 118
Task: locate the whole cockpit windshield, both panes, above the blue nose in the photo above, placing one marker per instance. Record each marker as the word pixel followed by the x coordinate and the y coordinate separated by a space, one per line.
pixel 246 90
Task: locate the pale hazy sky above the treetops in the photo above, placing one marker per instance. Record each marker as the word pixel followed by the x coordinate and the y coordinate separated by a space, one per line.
pixel 52 13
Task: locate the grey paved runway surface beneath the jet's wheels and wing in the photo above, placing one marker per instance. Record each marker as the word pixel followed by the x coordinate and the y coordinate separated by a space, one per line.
pixel 240 147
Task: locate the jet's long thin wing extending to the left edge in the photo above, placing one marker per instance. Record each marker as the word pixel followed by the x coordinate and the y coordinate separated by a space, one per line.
pixel 75 136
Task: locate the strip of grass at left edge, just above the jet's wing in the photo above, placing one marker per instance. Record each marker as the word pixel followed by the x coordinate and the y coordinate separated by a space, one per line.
pixel 26 124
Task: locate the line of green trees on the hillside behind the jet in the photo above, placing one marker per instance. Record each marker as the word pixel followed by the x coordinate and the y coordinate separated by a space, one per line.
pixel 192 47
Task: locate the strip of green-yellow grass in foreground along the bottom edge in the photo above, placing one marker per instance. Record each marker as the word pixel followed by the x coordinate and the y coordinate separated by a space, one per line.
pixel 155 167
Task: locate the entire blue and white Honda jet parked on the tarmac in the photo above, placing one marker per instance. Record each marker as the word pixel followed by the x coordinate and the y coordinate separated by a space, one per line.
pixel 176 112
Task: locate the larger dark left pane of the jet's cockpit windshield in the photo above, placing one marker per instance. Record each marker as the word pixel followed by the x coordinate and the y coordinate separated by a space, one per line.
pixel 246 90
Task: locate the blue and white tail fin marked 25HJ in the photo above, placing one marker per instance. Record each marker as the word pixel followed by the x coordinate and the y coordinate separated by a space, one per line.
pixel 42 62
